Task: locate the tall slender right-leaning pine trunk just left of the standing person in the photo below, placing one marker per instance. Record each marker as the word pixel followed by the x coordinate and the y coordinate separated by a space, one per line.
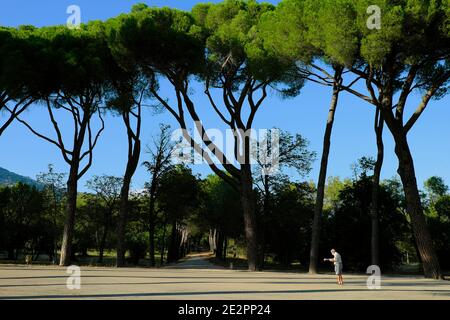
pixel 315 238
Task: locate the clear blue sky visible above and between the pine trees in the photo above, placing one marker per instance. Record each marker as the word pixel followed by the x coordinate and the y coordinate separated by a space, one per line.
pixel 353 135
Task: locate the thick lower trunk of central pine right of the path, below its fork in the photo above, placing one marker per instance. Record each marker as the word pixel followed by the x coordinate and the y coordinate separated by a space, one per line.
pixel 248 206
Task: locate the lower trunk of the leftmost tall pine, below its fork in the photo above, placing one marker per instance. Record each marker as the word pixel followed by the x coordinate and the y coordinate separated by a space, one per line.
pixel 72 189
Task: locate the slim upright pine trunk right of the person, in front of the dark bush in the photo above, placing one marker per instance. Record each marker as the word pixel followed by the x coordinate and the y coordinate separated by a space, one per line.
pixel 375 254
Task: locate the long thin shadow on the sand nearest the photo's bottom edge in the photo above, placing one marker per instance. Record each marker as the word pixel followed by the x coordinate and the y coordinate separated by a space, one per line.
pixel 163 294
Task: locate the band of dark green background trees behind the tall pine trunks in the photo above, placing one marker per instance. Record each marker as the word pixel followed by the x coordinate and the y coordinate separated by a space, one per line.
pixel 210 207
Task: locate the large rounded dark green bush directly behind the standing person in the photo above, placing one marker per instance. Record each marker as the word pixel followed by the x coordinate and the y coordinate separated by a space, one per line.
pixel 348 223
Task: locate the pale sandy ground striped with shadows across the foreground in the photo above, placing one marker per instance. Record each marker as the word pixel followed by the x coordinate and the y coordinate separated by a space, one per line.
pixel 197 279
